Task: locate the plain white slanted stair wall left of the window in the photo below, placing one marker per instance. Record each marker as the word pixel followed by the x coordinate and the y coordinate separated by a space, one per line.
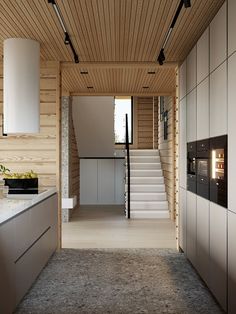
pixel 93 118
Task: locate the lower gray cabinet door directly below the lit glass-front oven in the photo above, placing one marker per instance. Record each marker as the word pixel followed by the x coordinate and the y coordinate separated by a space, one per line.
pixel 218 253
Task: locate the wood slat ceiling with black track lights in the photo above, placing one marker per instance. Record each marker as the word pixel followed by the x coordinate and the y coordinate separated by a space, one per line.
pixel 109 31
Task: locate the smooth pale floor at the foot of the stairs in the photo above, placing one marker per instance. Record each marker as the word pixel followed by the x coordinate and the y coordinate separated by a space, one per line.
pixel 106 227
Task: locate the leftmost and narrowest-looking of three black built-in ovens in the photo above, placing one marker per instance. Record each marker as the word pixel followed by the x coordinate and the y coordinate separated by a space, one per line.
pixel 191 167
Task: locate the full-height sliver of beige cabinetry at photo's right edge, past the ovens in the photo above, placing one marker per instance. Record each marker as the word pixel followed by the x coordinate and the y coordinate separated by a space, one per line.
pixel 231 157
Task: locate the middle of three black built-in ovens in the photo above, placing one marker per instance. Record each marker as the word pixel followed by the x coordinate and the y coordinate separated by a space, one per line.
pixel 203 167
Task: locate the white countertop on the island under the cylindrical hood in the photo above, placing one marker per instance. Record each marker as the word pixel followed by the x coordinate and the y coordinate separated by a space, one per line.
pixel 14 204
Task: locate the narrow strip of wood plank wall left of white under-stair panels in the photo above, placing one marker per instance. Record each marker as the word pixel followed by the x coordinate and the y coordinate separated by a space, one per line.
pixel 74 169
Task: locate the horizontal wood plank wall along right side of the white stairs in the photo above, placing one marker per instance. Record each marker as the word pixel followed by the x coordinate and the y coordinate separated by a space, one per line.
pixel 166 148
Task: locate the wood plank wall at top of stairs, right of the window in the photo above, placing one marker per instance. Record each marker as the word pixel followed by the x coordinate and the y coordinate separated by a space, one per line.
pixel 144 107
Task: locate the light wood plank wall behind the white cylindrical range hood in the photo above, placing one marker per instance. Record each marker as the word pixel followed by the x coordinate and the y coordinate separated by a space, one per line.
pixel 38 152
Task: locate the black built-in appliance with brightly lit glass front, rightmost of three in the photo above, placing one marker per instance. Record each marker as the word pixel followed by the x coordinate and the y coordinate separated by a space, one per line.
pixel 218 174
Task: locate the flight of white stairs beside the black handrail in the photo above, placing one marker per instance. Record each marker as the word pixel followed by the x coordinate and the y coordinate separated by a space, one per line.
pixel 147 188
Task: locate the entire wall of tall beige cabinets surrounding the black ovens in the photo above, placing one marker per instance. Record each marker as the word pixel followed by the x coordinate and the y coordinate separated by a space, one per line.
pixel 207 94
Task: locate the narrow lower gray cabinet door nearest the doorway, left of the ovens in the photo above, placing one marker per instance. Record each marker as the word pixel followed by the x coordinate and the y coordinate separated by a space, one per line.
pixel 182 219
